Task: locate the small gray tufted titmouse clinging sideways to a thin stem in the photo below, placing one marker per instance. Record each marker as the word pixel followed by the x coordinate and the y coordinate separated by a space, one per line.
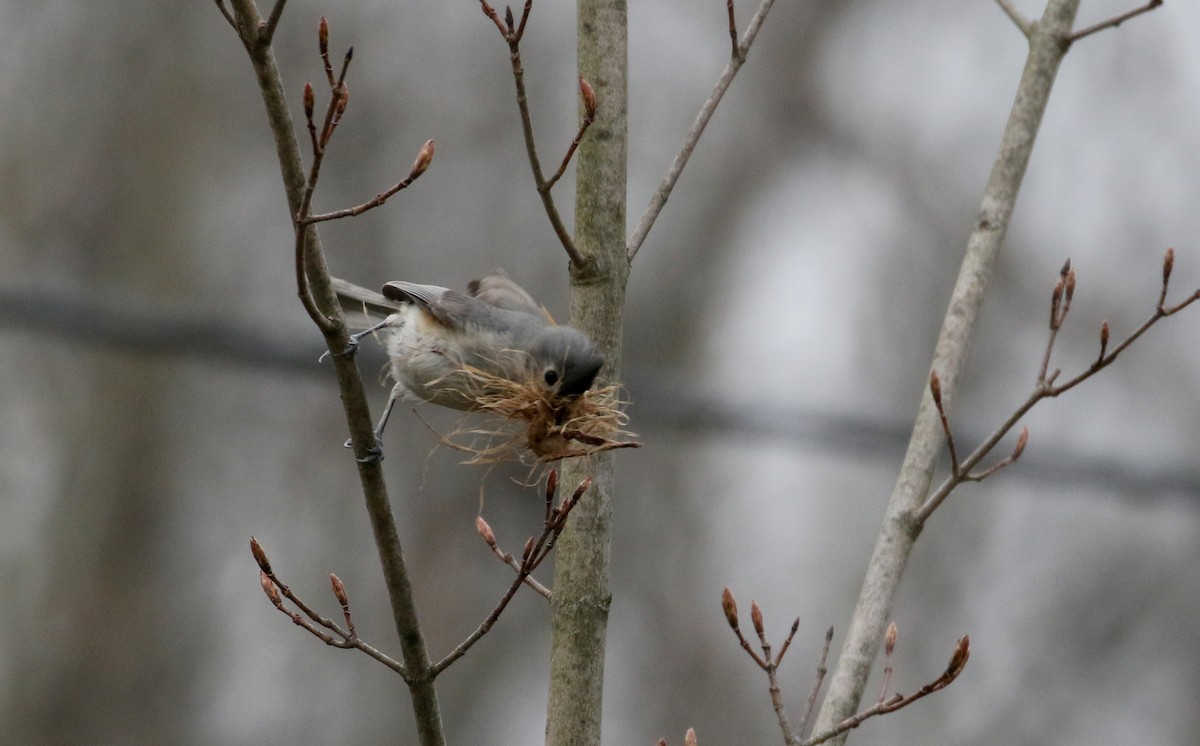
pixel 434 334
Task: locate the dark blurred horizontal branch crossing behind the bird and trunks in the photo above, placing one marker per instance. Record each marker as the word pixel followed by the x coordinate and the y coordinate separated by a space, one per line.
pixel 139 327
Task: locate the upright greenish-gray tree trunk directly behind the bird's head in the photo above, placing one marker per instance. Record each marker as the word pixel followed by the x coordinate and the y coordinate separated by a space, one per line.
pixel 598 299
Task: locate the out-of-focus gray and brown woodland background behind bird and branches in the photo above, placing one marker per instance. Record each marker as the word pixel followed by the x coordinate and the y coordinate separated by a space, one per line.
pixel 163 399
